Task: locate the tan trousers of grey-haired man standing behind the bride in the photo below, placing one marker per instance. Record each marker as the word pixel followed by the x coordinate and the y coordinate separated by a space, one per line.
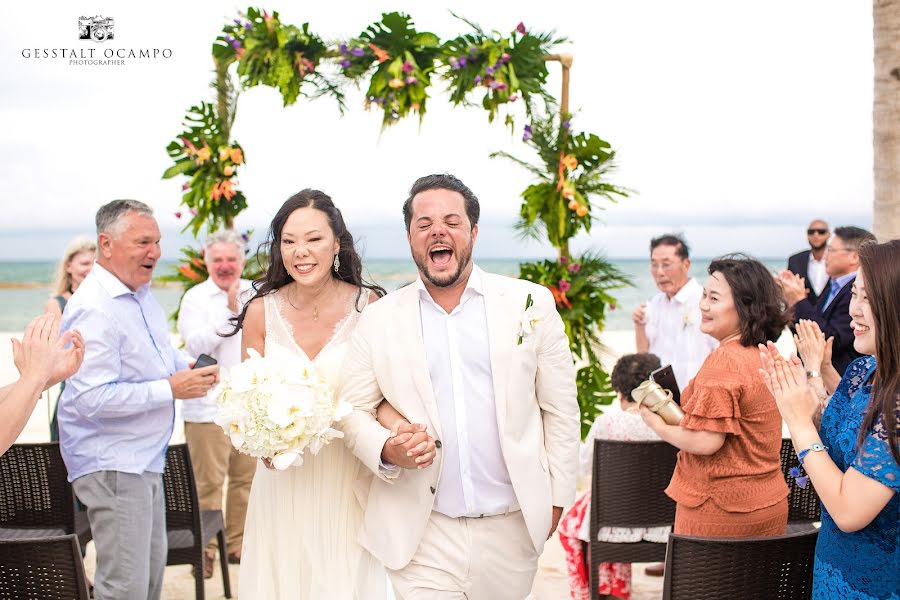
pixel 214 459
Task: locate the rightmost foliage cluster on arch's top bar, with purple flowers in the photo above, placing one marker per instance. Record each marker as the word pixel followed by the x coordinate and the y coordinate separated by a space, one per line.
pixel 504 68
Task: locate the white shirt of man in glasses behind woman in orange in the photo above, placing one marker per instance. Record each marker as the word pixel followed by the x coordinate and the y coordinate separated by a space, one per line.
pixel 673 330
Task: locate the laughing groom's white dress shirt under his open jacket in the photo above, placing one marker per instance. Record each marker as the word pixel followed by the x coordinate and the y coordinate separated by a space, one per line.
pixel 474 479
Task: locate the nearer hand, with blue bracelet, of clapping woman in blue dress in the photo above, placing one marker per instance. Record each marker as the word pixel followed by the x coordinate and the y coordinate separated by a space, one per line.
pixel 786 380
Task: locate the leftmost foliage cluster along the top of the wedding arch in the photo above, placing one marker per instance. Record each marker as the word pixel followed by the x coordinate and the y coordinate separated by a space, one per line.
pixel 271 53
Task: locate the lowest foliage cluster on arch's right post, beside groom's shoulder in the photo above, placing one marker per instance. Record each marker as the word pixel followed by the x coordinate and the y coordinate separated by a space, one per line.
pixel 581 287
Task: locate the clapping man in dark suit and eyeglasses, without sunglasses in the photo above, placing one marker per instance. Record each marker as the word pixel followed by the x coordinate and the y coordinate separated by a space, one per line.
pixel 832 311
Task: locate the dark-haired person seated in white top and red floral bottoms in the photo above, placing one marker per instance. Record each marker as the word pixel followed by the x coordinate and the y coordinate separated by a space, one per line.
pixel 574 528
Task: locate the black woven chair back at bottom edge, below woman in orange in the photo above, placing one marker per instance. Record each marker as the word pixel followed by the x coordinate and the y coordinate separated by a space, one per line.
pixel 774 568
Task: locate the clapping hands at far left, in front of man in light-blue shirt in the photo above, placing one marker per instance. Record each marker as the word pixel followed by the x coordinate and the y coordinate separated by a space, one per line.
pixel 42 355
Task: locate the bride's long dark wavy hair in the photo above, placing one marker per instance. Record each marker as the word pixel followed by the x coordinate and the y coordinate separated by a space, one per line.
pixel 276 275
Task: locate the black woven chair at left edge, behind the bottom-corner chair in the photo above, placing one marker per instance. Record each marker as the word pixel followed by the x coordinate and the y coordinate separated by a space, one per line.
pixel 36 498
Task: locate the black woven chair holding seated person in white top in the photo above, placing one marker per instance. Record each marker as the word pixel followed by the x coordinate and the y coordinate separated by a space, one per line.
pixel 628 490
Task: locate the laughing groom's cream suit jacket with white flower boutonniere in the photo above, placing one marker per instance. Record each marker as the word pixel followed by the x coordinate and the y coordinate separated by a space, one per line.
pixel 536 404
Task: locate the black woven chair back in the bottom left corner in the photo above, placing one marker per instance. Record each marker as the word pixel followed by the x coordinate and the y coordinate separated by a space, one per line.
pixel 44 568
